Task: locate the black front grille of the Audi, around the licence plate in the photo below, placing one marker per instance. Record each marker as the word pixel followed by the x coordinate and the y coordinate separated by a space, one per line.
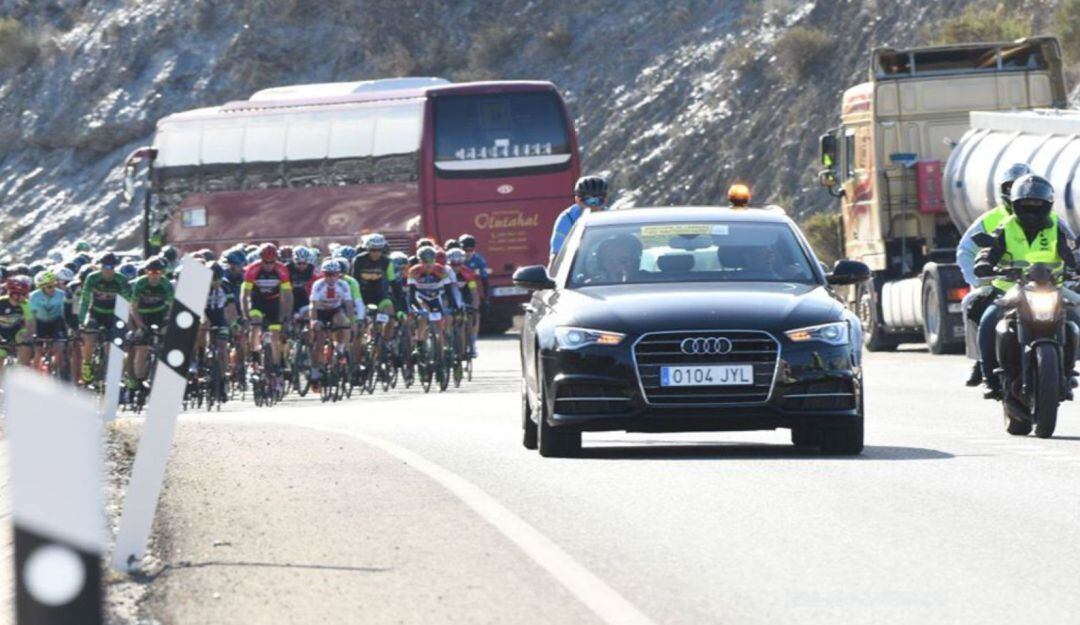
pixel 759 349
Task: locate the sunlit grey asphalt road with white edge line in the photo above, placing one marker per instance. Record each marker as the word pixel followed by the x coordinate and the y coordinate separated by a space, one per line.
pixel 409 508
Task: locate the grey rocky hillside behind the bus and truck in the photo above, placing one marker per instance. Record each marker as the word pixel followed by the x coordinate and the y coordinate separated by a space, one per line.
pixel 673 100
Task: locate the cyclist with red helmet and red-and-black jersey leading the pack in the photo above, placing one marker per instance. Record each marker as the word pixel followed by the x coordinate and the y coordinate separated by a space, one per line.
pixel 267 297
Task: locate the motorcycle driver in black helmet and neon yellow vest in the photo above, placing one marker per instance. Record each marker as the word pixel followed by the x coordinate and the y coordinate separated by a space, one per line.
pixel 1032 235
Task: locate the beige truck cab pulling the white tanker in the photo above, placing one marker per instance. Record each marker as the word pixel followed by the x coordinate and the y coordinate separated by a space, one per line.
pixel 902 209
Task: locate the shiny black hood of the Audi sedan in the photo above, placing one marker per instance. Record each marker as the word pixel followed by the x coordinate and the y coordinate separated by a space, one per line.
pixel 637 309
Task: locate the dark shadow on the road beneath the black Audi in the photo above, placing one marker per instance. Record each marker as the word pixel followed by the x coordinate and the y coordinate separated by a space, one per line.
pixel 667 451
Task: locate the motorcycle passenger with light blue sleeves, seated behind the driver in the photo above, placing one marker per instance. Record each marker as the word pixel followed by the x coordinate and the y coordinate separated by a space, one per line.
pixel 982 294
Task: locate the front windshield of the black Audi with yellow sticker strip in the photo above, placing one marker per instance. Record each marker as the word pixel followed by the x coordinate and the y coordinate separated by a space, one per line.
pixel 704 252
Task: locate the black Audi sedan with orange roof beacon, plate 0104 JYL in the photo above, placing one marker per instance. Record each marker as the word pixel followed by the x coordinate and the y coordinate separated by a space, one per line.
pixel 690 319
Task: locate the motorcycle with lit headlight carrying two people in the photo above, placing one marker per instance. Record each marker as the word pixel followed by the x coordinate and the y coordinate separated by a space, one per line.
pixel 1032 341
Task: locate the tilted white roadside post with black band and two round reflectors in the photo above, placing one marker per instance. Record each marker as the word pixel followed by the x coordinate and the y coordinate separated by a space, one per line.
pixel 164 406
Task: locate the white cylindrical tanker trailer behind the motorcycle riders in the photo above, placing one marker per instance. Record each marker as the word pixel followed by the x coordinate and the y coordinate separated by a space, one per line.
pixel 1047 140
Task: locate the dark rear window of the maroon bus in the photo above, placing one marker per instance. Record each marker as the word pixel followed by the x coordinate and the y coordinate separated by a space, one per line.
pixel 494 134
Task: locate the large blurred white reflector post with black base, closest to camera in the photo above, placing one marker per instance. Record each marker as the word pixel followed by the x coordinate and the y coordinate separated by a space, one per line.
pixel 58 504
